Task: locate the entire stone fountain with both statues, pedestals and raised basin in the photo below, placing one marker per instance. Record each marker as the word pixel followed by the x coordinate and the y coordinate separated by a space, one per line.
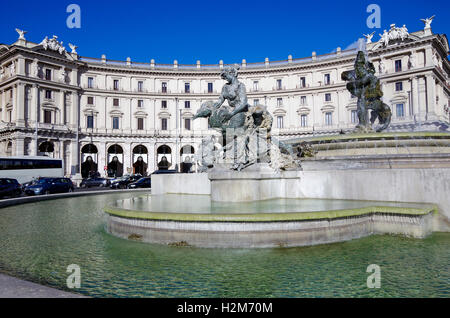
pixel 253 191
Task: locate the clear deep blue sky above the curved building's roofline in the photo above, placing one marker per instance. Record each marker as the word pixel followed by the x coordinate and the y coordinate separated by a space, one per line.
pixel 212 30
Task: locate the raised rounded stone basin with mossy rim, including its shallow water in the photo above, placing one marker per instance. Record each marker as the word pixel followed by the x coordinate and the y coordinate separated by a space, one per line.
pixel 197 221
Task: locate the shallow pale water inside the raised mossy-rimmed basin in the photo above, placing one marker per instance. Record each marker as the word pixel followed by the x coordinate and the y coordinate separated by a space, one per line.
pixel 185 203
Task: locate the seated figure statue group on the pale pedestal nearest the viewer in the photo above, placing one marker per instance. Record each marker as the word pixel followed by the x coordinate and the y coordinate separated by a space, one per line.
pixel 250 128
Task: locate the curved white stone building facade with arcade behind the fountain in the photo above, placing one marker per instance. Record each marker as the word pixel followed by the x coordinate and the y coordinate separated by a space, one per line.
pixel 50 95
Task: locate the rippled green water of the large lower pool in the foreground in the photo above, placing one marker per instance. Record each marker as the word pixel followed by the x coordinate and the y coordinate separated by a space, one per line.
pixel 38 241
